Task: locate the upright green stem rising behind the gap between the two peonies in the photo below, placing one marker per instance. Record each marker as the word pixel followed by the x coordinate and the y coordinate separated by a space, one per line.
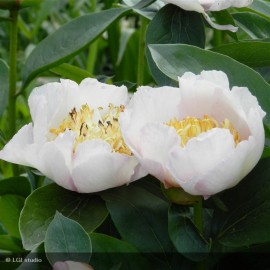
pixel 141 59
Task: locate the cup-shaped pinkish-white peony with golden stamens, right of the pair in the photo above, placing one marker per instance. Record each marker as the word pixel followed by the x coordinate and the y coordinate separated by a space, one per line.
pixel 201 137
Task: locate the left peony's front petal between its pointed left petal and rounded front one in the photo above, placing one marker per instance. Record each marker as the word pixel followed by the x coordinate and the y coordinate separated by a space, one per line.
pixel 56 160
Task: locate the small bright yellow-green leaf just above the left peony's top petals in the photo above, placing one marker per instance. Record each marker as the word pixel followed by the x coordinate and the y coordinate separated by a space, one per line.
pixel 71 72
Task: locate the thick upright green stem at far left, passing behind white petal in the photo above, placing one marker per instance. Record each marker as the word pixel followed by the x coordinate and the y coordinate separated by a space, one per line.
pixel 12 77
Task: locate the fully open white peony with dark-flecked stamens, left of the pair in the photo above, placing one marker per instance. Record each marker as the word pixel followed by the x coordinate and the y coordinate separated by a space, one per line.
pixel 75 137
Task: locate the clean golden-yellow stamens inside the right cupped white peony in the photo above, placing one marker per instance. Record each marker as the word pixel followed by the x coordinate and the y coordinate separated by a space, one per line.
pixel 191 127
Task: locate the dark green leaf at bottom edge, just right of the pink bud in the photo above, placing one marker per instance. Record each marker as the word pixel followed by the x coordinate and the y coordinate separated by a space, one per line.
pixel 110 252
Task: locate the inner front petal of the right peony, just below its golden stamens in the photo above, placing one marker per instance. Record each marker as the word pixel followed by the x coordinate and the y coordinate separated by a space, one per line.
pixel 200 155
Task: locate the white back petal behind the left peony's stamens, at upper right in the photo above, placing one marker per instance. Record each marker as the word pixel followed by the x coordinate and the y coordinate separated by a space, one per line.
pixel 97 94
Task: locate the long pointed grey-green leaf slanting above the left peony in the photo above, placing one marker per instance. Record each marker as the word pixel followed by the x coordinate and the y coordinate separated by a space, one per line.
pixel 68 41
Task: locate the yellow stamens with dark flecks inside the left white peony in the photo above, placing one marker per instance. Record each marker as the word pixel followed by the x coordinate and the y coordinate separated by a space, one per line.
pixel 95 124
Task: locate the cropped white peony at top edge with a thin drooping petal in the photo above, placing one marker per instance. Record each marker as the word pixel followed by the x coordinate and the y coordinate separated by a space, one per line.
pixel 202 6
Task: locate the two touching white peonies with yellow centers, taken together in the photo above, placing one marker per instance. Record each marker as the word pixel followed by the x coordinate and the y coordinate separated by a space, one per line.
pixel 202 136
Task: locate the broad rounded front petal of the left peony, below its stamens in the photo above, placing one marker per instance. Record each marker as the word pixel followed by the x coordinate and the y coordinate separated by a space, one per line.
pixel 96 168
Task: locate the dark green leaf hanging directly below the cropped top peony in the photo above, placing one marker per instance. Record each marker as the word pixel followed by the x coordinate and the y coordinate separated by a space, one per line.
pixel 173 25
